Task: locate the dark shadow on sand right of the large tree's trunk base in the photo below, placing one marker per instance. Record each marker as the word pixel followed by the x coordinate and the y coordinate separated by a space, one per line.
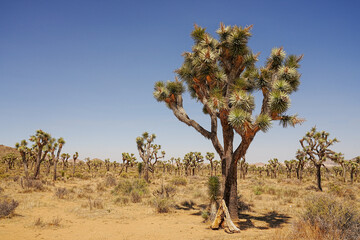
pixel 273 219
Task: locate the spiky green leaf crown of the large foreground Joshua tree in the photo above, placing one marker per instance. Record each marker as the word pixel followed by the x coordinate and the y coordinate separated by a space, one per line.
pixel 221 73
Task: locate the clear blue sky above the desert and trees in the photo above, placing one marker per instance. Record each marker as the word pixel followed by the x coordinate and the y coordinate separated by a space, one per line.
pixel 84 71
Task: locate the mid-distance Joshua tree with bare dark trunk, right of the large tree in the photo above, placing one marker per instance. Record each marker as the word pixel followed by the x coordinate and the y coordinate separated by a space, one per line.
pixel 316 147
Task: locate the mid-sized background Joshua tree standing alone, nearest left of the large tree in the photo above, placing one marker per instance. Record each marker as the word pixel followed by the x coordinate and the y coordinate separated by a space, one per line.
pixel 149 152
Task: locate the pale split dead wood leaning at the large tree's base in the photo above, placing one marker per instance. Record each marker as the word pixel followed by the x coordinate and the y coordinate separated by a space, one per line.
pixel 223 219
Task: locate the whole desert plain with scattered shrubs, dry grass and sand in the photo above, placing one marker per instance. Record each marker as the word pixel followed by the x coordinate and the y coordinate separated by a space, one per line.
pixel 103 201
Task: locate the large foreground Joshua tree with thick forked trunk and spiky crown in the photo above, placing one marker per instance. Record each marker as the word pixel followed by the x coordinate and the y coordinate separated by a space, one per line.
pixel 221 74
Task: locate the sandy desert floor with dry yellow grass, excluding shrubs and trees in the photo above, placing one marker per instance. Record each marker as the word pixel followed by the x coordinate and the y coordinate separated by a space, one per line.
pixel 87 209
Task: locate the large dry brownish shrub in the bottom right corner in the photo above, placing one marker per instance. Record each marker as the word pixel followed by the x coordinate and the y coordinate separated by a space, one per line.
pixel 331 217
